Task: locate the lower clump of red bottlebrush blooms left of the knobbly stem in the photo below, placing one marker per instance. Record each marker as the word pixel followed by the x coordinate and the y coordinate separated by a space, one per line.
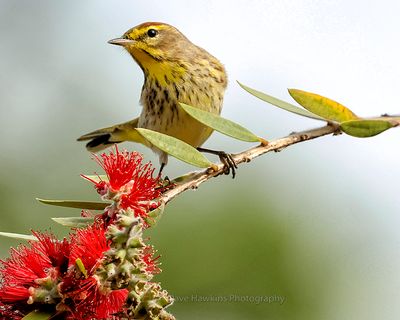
pixel 46 273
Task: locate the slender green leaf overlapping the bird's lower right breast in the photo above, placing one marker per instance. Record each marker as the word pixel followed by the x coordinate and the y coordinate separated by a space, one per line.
pixel 220 124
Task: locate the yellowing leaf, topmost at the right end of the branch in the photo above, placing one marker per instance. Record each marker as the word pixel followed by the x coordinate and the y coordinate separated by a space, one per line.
pixel 322 106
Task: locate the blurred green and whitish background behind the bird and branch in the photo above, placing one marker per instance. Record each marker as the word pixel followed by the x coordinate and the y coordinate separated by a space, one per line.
pixel 316 224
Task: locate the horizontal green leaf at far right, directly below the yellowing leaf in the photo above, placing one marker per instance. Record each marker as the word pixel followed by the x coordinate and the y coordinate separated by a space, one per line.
pixel 366 128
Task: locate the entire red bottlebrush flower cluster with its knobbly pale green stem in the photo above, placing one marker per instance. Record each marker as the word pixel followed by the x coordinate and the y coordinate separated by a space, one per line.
pixel 76 279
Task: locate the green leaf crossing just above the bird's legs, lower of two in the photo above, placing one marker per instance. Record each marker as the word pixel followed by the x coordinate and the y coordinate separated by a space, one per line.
pixel 175 147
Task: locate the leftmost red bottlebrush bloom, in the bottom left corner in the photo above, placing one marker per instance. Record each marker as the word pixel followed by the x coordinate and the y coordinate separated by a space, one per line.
pixel 31 274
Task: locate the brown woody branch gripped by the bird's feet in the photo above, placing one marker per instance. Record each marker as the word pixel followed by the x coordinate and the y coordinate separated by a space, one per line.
pixel 194 179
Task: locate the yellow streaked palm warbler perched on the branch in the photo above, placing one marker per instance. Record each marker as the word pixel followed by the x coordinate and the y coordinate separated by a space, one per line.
pixel 175 70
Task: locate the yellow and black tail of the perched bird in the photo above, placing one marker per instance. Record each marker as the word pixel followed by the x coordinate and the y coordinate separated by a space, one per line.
pixel 103 138
